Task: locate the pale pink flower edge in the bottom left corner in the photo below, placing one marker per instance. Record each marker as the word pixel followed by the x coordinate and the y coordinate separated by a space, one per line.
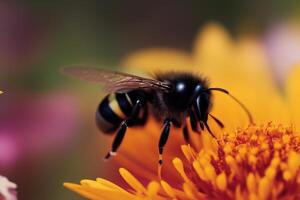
pixel 7 189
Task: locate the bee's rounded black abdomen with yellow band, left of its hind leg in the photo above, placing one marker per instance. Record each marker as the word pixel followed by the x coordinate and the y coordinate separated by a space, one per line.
pixel 113 109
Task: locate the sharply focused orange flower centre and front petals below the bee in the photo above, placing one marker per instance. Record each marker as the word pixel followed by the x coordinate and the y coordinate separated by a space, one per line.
pixel 253 163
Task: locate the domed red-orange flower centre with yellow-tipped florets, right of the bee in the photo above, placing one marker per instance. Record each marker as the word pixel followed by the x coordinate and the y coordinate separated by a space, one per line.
pixel 259 161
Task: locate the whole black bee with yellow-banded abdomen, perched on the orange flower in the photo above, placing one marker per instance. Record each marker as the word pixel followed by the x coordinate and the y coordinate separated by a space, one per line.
pixel 171 98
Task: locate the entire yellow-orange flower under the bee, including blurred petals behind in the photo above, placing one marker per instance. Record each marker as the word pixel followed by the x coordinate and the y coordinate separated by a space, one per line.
pixel 246 161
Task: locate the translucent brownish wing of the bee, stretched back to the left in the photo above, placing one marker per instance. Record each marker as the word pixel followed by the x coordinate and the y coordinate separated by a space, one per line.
pixel 114 81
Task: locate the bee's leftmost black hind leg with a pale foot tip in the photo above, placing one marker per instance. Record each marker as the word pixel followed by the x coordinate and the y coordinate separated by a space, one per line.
pixel 122 130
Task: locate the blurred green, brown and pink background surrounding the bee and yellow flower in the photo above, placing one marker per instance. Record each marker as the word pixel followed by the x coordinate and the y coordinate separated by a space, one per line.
pixel 47 130
